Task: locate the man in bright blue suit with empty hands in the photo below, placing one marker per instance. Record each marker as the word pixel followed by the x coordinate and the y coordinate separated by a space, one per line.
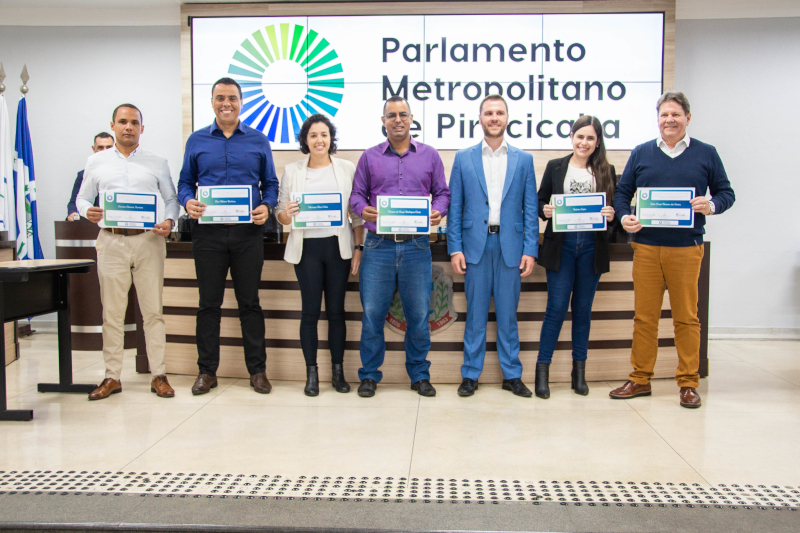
pixel 493 239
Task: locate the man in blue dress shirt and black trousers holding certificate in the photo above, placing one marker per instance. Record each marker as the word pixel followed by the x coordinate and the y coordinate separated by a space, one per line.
pixel 229 152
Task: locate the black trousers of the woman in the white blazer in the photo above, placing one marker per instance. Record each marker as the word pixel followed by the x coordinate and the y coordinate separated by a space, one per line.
pixel 322 269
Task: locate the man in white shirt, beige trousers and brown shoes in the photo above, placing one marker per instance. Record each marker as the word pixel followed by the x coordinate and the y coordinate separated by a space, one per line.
pixel 130 254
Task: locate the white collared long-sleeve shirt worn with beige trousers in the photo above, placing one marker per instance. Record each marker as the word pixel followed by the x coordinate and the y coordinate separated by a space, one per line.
pixel 141 172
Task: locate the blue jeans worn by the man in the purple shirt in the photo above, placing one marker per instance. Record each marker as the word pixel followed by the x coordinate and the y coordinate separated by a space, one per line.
pixel 406 265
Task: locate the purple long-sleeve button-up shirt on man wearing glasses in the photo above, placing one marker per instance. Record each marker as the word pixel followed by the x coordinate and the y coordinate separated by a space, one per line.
pixel 381 171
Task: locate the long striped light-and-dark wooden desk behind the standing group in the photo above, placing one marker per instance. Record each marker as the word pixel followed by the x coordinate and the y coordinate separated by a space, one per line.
pixel 609 343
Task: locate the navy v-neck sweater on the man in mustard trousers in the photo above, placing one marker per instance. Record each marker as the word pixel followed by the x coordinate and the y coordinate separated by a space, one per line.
pixel 699 166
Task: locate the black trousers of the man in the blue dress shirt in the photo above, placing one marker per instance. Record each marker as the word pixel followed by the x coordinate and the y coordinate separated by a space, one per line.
pixel 240 248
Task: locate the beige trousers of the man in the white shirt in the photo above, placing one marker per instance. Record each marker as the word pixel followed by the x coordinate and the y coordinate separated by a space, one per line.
pixel 121 259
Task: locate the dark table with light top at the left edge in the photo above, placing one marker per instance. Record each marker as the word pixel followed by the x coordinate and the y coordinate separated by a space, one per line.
pixel 36 287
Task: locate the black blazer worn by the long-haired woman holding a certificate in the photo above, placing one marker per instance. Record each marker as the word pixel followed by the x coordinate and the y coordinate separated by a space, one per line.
pixel 550 250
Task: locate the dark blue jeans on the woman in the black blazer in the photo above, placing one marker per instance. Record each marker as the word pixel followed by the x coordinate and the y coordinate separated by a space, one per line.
pixel 575 278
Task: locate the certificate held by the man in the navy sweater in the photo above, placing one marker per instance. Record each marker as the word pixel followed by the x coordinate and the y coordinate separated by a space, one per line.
pixel 667 207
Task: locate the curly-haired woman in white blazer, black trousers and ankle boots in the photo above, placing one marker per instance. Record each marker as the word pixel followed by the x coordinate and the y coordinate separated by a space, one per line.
pixel 323 258
